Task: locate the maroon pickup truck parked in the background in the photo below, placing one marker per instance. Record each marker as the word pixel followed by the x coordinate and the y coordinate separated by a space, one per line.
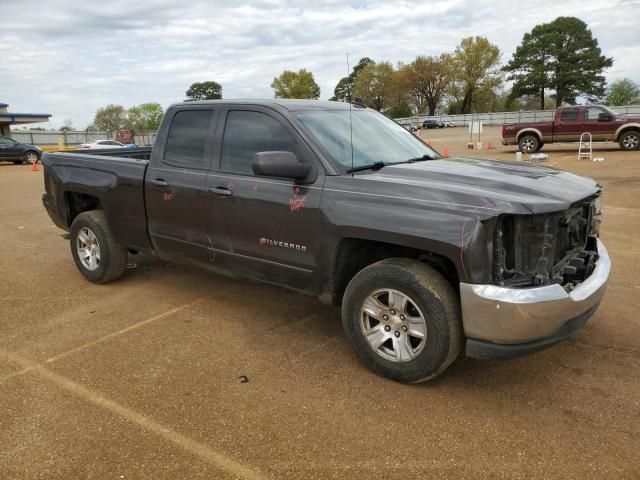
pixel 569 123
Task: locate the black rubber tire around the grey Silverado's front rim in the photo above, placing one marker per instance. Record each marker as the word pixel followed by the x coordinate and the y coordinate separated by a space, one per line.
pixel 431 294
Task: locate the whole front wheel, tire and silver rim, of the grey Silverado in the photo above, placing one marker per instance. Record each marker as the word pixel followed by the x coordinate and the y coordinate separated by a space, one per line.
pixel 402 318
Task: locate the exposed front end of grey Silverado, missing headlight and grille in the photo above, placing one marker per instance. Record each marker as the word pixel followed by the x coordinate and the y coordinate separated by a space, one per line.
pixel 551 248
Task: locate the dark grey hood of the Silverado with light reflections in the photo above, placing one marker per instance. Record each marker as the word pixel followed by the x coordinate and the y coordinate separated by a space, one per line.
pixel 498 184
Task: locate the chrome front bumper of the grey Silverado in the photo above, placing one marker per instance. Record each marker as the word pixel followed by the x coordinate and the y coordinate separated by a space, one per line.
pixel 509 316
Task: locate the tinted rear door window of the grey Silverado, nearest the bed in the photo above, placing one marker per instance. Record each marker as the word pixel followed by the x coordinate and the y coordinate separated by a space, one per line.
pixel 187 138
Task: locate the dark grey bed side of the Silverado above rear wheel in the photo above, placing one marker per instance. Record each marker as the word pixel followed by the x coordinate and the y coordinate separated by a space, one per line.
pixel 111 179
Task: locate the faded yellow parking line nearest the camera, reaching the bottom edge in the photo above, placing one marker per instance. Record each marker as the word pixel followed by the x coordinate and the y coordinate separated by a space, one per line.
pixel 210 456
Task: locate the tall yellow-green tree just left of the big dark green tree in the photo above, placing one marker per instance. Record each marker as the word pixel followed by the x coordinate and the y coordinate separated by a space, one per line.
pixel 475 68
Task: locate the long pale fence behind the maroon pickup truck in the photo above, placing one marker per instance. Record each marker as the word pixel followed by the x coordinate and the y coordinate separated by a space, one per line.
pixel 501 118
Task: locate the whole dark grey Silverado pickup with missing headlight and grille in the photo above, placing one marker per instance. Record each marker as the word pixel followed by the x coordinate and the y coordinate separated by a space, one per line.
pixel 430 258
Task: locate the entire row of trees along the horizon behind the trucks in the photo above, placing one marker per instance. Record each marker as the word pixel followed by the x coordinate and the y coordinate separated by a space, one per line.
pixel 556 63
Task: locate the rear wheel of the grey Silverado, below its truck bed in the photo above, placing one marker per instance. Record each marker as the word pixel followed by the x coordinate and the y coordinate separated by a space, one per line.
pixel 97 254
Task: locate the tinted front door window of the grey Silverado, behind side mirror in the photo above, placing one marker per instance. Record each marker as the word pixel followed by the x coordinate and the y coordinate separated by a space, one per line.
pixel 247 133
